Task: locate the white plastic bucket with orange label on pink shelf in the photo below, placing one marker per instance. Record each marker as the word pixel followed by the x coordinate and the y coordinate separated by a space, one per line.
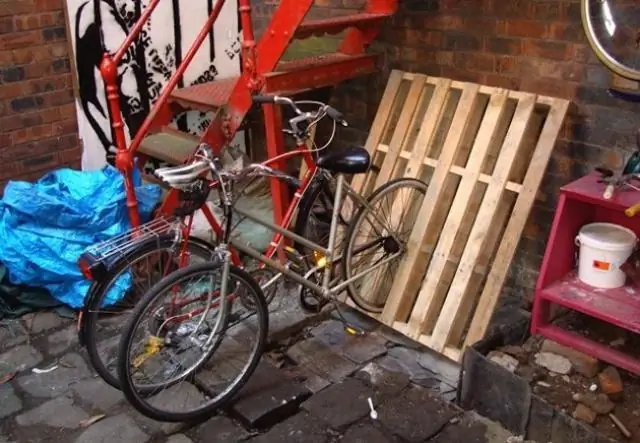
pixel 604 247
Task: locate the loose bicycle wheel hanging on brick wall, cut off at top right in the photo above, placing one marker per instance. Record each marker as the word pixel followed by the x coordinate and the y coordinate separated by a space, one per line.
pixel 612 35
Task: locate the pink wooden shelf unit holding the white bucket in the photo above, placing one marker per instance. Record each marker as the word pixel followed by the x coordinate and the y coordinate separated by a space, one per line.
pixel 581 203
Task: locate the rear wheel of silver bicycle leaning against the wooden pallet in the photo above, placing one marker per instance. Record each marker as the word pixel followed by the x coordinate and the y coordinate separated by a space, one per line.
pixel 380 231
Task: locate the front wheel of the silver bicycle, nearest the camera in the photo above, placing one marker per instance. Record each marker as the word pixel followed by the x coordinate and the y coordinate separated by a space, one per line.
pixel 195 338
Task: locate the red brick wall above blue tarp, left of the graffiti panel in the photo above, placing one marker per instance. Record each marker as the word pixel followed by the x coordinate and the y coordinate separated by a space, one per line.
pixel 38 129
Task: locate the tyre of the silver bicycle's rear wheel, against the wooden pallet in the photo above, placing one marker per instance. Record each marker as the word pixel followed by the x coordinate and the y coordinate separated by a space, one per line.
pixel 348 240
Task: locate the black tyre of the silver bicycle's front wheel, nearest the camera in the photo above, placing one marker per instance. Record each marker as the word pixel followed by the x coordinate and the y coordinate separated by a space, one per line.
pixel 132 395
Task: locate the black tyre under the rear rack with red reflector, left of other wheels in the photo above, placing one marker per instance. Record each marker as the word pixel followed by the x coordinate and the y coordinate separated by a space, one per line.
pixel 98 291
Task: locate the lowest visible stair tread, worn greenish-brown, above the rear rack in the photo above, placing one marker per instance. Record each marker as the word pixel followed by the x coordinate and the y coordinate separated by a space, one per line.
pixel 173 147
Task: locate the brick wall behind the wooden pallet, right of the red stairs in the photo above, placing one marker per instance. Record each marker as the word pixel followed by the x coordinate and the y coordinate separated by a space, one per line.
pixel 536 46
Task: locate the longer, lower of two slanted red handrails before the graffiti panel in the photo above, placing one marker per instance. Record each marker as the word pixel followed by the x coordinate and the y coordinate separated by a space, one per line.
pixel 204 33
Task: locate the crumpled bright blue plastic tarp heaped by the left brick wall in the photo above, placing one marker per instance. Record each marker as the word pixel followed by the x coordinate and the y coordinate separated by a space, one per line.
pixel 45 226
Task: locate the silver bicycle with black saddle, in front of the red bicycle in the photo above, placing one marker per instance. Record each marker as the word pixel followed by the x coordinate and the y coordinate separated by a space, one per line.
pixel 372 246
